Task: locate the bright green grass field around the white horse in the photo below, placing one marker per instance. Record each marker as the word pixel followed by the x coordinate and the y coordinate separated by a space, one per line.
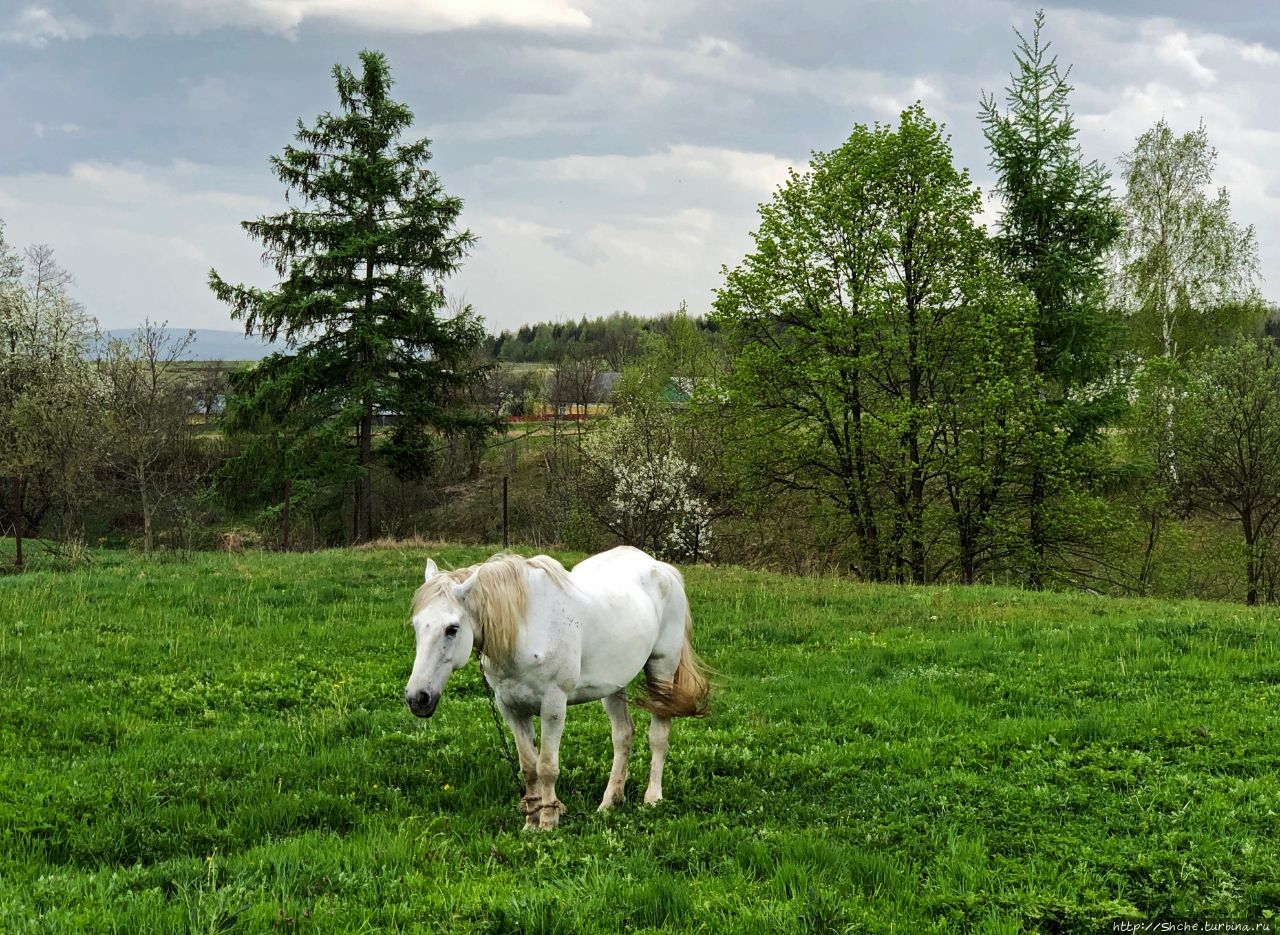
pixel 221 746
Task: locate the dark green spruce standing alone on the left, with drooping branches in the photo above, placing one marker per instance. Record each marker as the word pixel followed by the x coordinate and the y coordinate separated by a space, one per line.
pixel 362 303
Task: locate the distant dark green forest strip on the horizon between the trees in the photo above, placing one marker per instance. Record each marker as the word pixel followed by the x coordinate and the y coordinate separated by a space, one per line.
pixel 615 339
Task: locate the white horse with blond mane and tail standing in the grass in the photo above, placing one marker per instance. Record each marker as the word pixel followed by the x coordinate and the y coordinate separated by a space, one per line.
pixel 550 638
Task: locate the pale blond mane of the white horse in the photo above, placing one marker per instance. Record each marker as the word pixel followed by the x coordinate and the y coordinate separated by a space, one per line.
pixel 499 600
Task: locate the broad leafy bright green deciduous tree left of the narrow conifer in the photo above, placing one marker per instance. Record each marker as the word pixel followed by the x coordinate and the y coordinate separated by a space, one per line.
pixel 881 348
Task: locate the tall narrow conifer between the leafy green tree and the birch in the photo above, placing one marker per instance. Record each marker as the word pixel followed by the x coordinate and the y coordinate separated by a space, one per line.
pixel 1058 225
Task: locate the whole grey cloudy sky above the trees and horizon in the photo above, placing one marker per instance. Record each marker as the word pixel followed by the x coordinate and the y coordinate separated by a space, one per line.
pixel 611 156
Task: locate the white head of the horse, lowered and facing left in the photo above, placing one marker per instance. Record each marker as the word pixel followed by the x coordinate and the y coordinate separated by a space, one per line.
pixel 445 633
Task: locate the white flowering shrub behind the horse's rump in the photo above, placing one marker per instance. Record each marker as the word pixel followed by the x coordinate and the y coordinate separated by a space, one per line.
pixel 644 492
